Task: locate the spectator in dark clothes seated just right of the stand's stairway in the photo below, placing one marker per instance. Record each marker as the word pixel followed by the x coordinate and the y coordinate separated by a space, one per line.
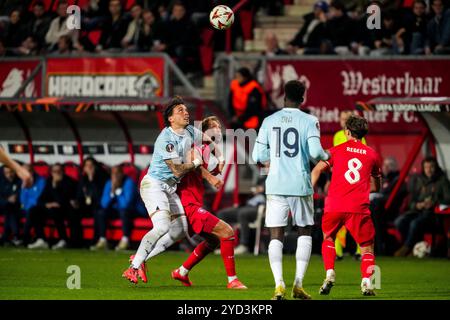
pixel 312 33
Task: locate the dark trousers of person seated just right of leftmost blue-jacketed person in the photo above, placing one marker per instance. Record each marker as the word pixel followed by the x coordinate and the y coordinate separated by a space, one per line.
pixel 39 216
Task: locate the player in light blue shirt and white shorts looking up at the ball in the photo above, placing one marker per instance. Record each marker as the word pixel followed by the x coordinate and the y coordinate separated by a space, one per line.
pixel 158 187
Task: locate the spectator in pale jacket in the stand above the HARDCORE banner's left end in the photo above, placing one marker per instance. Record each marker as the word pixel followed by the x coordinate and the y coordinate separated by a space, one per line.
pixel 58 28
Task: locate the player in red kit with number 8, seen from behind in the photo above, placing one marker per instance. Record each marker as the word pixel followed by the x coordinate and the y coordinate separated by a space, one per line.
pixel 356 173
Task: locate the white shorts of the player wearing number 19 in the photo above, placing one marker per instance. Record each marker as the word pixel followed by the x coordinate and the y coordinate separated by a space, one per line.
pixel 278 208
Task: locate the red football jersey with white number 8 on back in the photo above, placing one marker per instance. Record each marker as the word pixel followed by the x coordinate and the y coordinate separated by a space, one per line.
pixel 353 163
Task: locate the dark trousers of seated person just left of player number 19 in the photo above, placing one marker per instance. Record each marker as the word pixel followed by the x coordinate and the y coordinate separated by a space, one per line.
pixel 244 216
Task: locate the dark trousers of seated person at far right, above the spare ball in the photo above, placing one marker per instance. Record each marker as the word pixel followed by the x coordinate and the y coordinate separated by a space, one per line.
pixel 413 225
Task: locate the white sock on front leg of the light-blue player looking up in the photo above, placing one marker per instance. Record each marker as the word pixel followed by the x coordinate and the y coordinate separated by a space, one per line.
pixel 161 222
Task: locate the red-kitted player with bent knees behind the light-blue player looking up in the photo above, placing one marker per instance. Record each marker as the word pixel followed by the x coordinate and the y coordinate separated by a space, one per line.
pixel 212 229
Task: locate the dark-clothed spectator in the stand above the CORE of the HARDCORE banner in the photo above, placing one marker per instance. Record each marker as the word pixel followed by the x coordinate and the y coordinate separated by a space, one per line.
pixel 114 29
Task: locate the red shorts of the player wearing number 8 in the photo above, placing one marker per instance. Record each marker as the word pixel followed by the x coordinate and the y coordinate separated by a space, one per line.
pixel 359 225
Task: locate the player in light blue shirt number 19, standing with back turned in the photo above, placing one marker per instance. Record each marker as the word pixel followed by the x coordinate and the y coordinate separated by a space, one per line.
pixel 286 141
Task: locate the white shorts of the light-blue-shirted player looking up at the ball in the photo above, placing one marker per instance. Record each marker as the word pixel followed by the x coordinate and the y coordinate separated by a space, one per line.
pixel 158 195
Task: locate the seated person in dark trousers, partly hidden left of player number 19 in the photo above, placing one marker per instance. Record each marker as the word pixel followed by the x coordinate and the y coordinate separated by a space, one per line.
pixel 244 216
